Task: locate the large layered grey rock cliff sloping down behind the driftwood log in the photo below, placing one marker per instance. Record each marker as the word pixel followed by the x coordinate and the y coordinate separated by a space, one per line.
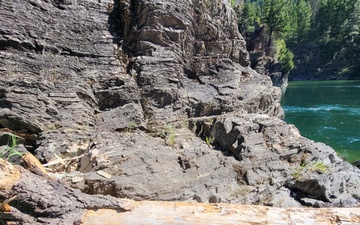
pixel 156 100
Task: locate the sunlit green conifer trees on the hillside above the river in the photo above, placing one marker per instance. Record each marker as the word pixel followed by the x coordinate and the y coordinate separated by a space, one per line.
pixel 332 25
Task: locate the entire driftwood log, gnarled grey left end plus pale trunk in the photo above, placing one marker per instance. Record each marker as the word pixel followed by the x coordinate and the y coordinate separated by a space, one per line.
pixel 29 198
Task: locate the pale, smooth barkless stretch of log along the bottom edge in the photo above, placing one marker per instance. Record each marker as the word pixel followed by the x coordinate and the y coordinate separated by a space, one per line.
pixel 148 212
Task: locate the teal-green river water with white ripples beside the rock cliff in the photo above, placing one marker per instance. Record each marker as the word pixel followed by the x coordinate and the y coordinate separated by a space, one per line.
pixel 326 111
